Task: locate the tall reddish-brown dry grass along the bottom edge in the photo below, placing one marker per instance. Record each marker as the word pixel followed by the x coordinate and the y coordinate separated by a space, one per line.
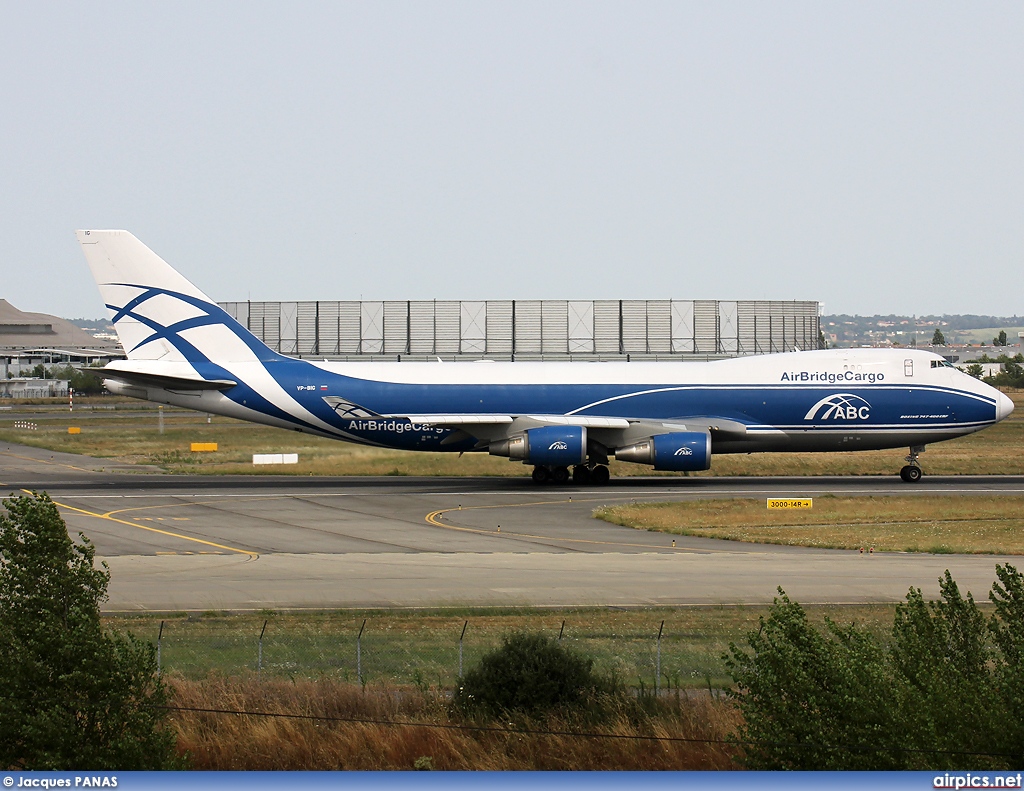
pixel 339 741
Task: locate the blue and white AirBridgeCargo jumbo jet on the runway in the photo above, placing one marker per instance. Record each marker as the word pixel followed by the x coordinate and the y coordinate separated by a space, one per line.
pixel 564 420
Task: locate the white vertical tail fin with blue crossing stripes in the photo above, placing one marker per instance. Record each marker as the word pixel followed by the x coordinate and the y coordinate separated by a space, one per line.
pixel 158 314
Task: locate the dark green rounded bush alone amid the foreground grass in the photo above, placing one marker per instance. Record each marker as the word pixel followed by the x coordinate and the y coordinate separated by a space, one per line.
pixel 533 675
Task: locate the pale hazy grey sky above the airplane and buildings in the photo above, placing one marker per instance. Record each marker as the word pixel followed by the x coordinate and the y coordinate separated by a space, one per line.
pixel 867 155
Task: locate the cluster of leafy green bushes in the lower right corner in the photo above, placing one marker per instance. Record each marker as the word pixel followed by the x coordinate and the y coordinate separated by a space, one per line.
pixel 945 693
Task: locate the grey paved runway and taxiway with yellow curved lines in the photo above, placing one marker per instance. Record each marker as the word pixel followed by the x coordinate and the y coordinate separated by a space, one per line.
pixel 201 543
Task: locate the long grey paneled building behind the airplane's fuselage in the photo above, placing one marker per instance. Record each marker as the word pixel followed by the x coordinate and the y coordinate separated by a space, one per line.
pixel 548 329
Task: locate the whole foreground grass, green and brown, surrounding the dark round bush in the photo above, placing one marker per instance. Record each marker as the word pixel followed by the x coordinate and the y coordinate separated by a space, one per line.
pixel 403 720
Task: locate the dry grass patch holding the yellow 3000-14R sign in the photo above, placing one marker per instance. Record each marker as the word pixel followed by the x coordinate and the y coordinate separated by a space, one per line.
pixel 913 524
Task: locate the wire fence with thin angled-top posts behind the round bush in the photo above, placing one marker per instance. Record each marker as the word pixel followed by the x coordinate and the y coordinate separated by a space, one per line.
pixel 366 651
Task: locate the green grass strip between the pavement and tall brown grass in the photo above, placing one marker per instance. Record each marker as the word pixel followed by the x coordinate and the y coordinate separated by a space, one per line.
pixel 421 649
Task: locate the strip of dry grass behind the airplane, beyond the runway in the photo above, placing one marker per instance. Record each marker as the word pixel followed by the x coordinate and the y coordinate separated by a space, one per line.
pixel 131 434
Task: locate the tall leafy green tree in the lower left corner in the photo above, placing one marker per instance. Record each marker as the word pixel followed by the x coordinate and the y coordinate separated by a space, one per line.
pixel 72 696
